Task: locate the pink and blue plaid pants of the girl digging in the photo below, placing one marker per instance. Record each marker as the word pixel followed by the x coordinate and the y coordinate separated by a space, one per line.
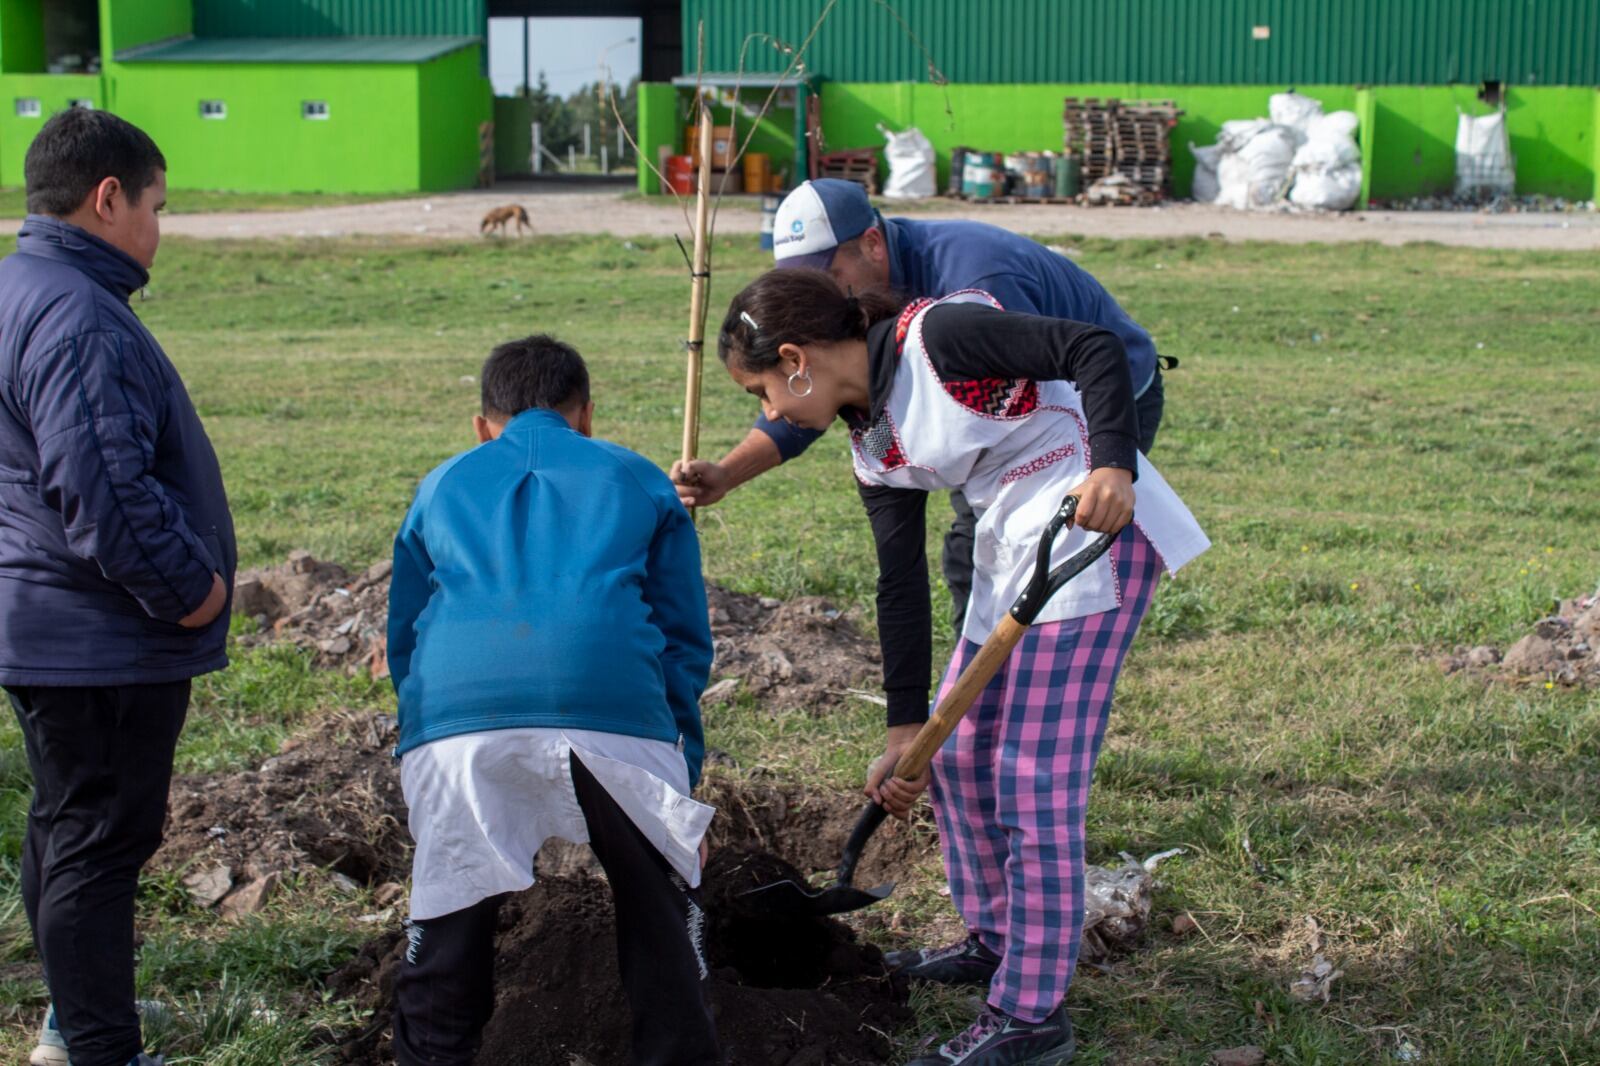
pixel 1012 785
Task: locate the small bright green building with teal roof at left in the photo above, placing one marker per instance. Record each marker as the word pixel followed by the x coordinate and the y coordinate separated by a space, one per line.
pixel 260 97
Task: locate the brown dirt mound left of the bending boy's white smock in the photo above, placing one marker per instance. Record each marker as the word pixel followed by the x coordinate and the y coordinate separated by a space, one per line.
pixel 329 799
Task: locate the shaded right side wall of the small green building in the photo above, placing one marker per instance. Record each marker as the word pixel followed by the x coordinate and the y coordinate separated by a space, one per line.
pixel 454 100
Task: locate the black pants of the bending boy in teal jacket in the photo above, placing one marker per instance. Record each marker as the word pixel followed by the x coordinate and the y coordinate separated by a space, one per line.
pixel 446 988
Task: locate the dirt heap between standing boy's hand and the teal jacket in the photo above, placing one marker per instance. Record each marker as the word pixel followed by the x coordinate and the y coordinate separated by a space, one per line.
pixel 338 617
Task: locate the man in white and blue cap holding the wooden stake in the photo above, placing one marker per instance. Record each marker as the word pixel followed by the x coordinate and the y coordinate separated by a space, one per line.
pixel 831 226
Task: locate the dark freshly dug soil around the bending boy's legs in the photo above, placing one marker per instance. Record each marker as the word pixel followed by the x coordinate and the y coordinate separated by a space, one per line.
pixel 783 995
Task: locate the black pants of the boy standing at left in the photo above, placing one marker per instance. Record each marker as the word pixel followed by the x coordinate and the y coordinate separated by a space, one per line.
pixel 102 761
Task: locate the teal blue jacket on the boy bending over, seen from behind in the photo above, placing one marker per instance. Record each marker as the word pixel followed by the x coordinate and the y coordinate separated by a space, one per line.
pixel 550 580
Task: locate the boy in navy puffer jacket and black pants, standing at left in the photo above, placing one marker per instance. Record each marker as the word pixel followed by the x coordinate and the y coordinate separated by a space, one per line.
pixel 116 564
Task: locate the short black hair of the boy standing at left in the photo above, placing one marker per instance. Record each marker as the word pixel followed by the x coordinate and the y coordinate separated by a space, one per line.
pixel 81 148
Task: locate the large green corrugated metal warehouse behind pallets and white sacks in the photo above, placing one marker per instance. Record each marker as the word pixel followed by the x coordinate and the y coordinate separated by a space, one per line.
pixel 1404 66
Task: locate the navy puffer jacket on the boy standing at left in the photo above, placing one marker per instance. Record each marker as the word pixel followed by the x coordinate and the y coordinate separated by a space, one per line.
pixel 113 513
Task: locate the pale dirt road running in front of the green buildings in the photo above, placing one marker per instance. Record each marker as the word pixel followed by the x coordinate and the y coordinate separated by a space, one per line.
pixel 574 209
